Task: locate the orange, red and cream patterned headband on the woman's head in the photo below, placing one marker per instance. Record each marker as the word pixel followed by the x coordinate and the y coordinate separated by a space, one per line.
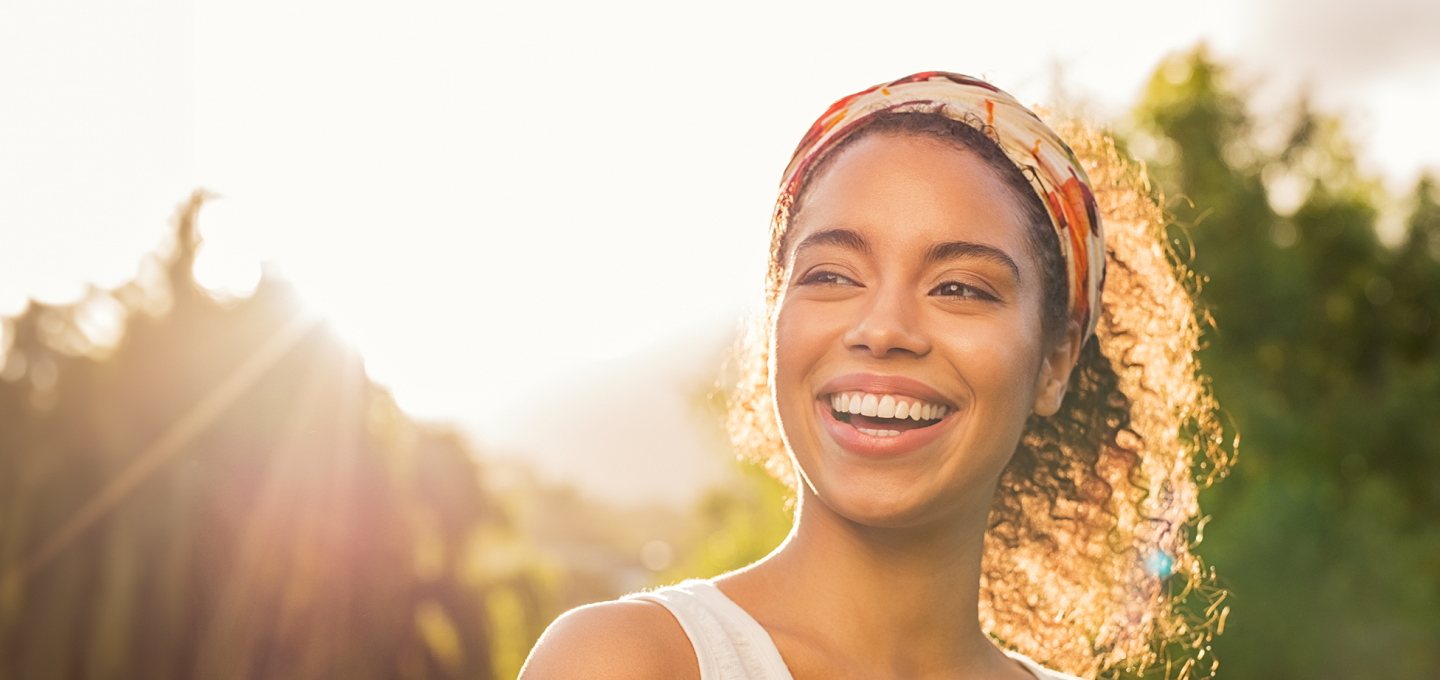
pixel 1042 156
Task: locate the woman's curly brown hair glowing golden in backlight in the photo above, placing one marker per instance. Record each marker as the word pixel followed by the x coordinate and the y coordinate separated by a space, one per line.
pixel 1088 558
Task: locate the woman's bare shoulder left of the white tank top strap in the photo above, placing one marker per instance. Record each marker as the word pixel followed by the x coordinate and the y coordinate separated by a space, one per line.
pixel 631 640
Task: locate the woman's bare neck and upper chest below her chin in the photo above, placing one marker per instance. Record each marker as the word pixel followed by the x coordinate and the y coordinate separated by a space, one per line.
pixel 883 601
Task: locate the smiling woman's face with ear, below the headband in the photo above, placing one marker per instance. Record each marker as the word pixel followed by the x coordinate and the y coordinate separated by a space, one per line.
pixel 909 348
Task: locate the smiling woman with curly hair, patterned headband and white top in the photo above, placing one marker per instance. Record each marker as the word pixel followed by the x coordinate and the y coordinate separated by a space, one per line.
pixel 984 455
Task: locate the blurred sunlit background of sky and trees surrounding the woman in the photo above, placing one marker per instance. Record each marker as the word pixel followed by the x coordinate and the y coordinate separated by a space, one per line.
pixel 438 349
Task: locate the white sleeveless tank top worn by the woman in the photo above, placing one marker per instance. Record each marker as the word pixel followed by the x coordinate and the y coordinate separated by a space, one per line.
pixel 732 646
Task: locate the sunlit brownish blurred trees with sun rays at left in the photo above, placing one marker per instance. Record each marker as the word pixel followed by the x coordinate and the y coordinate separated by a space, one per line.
pixel 152 527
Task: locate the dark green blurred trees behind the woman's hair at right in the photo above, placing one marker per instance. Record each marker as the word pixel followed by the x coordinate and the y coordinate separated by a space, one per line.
pixel 1326 351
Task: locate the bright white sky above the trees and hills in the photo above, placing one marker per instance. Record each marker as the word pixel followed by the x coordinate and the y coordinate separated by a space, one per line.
pixel 492 198
